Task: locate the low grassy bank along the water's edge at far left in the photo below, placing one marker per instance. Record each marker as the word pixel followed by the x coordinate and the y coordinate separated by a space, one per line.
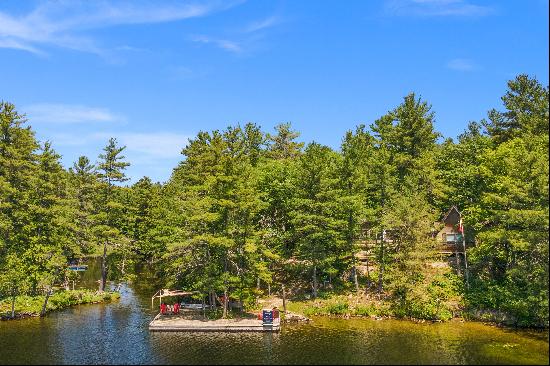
pixel 31 306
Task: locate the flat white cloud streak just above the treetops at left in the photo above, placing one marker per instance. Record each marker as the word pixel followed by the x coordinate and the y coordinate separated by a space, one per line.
pixel 69 114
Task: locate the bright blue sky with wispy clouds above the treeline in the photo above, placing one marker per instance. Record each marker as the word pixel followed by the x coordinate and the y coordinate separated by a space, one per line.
pixel 154 73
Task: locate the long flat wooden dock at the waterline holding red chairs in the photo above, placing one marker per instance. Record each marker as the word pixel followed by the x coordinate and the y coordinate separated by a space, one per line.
pixel 180 323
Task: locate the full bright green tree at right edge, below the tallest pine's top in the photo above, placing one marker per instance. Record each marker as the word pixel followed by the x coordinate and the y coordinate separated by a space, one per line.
pixel 511 257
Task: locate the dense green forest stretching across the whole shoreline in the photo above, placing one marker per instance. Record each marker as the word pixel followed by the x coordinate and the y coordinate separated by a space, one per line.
pixel 246 212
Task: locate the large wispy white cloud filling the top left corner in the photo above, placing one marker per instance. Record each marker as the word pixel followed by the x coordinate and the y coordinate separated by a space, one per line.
pixel 63 23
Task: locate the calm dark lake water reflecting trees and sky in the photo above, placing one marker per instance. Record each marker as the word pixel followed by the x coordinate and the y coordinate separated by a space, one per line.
pixel 117 333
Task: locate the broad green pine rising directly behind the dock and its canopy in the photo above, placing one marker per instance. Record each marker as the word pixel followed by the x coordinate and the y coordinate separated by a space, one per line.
pixel 217 247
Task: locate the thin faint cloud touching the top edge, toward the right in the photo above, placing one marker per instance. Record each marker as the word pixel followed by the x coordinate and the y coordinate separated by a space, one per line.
pixel 437 8
